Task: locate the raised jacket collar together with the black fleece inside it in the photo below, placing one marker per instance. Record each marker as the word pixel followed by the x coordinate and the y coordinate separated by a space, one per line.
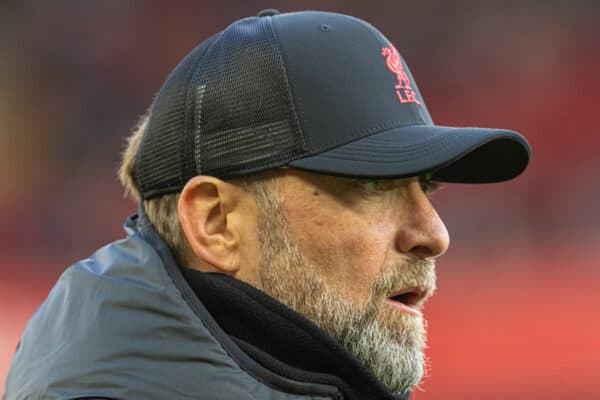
pixel 256 328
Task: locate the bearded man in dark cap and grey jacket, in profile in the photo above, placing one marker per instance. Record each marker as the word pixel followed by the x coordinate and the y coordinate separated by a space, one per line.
pixel 284 244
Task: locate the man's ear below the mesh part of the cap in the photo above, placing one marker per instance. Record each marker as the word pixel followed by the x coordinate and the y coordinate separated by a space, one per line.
pixel 208 209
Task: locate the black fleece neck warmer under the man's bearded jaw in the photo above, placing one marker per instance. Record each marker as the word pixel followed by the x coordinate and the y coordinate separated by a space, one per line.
pixel 281 339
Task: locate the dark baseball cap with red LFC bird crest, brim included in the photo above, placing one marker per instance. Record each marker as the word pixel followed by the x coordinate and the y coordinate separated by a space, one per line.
pixel 318 91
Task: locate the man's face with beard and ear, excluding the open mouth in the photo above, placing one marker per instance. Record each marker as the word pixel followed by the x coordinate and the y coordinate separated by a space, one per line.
pixel 333 249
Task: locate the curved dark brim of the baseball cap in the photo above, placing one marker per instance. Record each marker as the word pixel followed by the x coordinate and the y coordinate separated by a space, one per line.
pixel 465 155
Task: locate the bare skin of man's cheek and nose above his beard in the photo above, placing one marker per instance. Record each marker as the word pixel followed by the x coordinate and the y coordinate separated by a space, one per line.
pixel 351 232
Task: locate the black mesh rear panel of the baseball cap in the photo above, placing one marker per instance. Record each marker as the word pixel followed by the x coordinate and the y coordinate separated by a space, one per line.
pixel 225 111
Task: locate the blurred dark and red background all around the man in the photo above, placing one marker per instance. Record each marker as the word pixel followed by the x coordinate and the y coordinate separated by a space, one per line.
pixel 516 311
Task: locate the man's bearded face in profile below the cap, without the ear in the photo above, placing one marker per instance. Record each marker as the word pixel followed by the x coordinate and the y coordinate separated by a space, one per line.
pixel 338 249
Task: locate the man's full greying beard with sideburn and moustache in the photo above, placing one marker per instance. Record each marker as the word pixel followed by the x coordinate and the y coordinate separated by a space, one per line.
pixel 390 344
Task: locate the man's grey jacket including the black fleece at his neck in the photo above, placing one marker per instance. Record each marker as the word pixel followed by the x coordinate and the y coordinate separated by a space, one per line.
pixel 126 324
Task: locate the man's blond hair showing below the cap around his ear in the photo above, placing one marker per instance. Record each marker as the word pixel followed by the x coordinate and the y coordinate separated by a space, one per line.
pixel 162 211
